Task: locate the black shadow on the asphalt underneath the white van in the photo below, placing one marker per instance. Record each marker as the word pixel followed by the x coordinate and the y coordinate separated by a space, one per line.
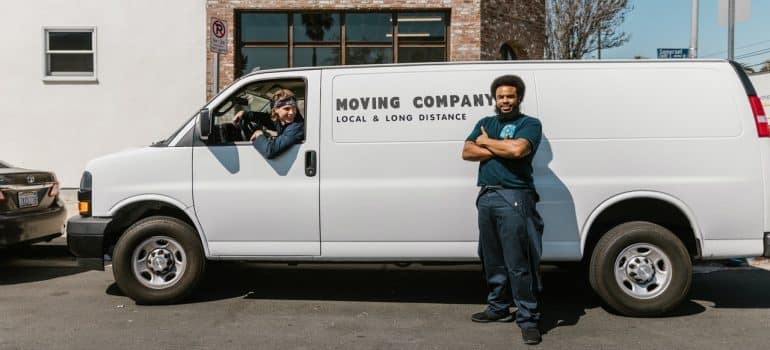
pixel 565 299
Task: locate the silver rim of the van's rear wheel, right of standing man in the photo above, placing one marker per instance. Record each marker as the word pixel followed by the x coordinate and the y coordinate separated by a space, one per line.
pixel 643 271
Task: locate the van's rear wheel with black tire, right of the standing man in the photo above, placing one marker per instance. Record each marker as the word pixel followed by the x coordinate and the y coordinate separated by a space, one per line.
pixel 631 239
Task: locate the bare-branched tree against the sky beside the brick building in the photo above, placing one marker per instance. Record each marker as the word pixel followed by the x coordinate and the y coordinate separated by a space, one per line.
pixel 573 27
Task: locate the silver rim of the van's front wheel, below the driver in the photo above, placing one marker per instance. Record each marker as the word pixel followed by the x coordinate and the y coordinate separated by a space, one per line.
pixel 158 262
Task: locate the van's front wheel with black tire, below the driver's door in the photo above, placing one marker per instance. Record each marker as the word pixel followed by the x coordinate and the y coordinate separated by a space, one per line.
pixel 185 250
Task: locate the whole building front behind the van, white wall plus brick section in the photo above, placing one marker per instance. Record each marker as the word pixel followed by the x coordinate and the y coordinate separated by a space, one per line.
pixel 87 80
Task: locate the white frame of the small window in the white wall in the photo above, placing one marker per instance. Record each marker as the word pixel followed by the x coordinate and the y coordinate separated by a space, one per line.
pixel 48 75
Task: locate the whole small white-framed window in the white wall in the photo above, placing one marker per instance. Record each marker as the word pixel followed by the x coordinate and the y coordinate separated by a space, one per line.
pixel 70 53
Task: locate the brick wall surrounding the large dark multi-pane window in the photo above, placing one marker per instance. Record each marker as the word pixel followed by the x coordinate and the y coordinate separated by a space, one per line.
pixel 467 40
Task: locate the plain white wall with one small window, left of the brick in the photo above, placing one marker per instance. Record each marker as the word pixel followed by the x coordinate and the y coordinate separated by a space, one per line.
pixel 151 72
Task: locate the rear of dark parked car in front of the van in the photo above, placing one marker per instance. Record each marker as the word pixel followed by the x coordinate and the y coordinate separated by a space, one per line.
pixel 30 208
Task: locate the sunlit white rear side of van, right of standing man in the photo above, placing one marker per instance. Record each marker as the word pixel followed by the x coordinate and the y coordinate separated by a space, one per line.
pixel 674 129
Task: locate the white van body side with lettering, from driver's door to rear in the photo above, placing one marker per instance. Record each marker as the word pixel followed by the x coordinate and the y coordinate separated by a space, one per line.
pixel 679 129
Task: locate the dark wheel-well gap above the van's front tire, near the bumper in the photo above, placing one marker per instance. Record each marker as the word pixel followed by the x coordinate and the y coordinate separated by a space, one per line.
pixel 134 212
